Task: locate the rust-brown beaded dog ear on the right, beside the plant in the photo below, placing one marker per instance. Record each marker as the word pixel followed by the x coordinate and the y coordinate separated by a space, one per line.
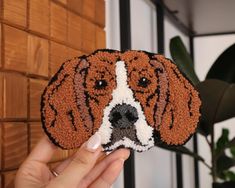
pixel 178 105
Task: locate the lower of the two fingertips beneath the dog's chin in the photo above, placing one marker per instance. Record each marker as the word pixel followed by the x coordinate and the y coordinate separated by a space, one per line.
pixel 108 177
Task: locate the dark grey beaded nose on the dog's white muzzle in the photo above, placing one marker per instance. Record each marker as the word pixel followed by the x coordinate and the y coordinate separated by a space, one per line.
pixel 123 116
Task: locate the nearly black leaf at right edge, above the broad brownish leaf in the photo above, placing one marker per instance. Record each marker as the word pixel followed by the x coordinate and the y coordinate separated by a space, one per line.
pixel 224 66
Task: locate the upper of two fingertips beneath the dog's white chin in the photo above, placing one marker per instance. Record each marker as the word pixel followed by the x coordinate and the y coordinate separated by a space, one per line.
pixel 122 154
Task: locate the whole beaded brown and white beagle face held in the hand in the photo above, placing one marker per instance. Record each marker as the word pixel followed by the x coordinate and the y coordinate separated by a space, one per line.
pixel 133 99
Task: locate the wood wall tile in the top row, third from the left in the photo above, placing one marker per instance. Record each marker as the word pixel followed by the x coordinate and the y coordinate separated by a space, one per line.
pixel 58 22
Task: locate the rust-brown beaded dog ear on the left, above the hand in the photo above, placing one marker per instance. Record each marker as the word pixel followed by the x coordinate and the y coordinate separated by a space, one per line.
pixel 65 116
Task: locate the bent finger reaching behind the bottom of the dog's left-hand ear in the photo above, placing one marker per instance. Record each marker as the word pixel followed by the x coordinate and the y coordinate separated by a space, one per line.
pixel 43 151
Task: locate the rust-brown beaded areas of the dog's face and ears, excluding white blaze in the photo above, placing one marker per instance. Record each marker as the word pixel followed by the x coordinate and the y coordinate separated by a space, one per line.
pixel 73 103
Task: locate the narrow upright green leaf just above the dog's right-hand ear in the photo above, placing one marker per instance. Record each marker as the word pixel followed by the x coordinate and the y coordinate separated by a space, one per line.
pixel 182 59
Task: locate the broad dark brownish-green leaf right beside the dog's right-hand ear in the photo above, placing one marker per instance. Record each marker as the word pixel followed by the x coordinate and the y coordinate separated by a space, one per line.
pixel 218 101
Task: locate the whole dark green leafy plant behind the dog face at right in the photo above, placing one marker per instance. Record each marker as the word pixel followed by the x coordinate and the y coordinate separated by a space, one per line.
pixel 217 92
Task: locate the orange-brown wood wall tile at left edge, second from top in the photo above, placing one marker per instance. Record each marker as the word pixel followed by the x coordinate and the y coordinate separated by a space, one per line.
pixel 15 43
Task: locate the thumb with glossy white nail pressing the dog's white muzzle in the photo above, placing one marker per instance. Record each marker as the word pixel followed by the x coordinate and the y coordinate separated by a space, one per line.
pixel 83 161
